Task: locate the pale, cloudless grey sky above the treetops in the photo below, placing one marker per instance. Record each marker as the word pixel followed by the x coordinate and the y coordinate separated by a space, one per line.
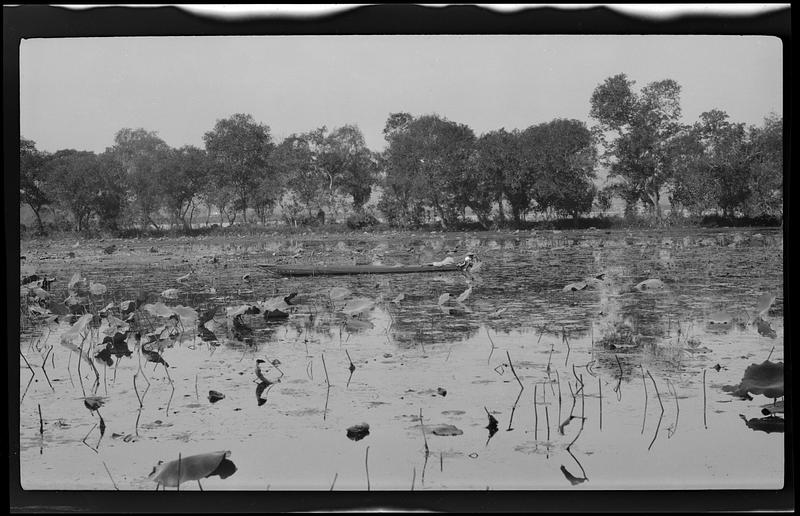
pixel 77 93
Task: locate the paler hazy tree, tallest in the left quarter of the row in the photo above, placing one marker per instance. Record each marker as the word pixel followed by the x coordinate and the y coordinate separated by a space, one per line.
pixel 143 156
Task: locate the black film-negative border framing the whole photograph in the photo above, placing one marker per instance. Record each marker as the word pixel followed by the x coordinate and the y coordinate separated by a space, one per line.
pixel 52 22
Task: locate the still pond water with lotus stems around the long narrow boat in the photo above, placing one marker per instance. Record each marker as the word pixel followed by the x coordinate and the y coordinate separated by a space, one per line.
pixel 609 387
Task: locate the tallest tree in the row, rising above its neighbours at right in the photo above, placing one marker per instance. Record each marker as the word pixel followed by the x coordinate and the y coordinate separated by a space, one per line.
pixel 644 124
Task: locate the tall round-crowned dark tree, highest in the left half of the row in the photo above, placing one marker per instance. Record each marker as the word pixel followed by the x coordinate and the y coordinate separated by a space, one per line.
pixel 241 149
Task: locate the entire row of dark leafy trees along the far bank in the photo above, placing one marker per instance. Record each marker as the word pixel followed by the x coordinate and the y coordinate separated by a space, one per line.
pixel 432 170
